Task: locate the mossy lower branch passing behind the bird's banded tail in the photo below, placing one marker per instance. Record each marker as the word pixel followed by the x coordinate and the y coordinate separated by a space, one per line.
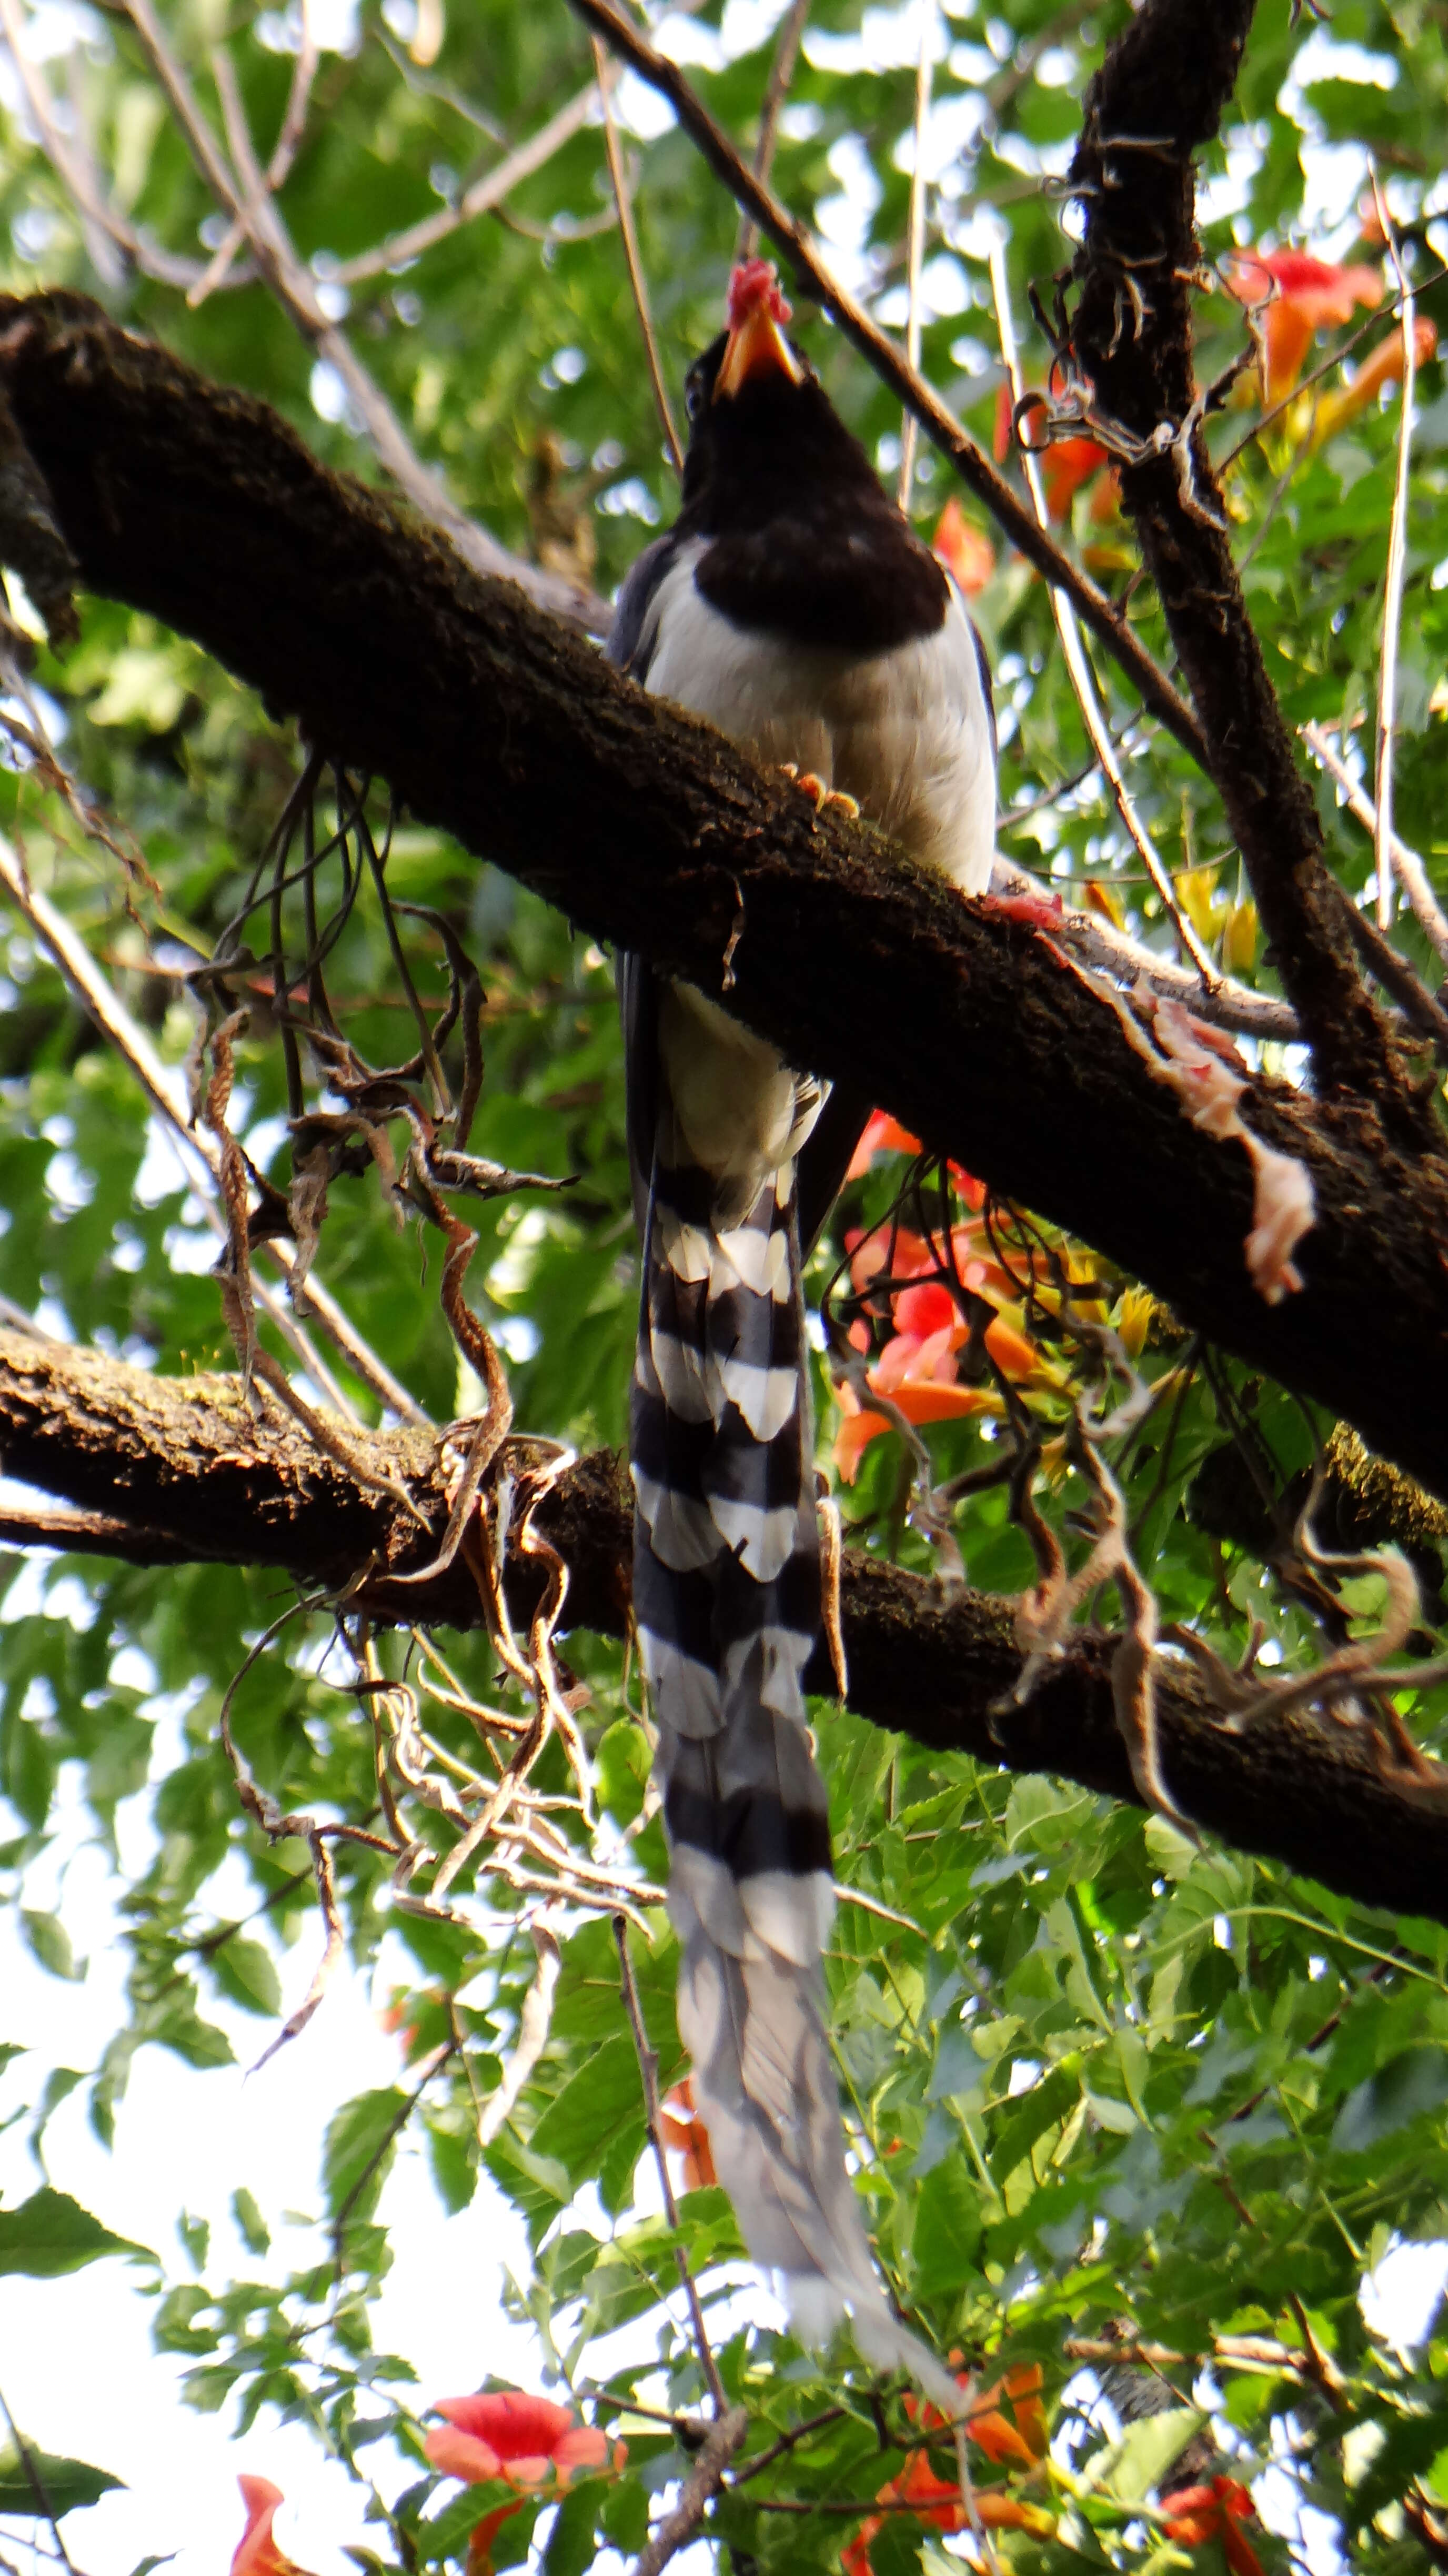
pixel 179 1470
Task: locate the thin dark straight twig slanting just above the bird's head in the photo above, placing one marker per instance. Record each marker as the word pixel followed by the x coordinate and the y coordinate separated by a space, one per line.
pixel 934 416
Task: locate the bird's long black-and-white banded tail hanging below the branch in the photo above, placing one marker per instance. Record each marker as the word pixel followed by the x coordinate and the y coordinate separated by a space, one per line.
pixel 728 1609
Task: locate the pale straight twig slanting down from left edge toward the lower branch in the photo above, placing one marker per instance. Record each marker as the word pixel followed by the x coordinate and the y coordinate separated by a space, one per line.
pixel 133 1045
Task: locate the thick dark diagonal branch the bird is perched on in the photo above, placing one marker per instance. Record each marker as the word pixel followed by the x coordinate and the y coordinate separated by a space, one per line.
pixel 651 831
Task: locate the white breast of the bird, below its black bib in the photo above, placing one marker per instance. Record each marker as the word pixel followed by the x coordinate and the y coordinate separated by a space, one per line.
pixel 903 733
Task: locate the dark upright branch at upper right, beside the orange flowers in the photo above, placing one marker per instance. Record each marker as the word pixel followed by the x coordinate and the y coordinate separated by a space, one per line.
pixel 1153 104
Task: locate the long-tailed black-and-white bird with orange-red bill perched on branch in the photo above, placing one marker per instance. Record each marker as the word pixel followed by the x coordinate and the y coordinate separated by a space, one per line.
pixel 797 612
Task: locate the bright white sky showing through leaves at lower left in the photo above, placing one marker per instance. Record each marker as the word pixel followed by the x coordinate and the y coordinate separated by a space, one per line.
pixel 76 2356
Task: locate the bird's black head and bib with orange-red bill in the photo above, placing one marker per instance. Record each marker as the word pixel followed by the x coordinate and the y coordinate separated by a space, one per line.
pixel 803 537
